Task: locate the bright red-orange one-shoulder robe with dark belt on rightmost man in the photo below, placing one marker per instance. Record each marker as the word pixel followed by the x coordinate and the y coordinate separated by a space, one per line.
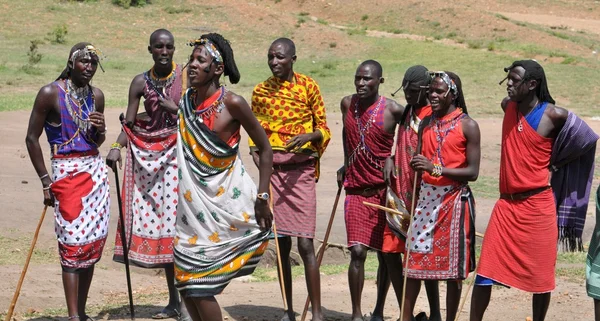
pixel 519 248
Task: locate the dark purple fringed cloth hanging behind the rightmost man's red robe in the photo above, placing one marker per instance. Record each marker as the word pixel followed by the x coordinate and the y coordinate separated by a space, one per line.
pixel 572 161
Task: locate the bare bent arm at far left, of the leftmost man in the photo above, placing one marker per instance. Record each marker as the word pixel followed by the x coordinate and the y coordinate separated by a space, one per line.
pixel 45 102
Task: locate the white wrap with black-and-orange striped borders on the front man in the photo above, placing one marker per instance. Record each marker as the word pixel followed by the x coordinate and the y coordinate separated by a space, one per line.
pixel 217 236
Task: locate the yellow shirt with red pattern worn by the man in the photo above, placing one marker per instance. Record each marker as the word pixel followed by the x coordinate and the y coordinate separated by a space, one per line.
pixel 287 109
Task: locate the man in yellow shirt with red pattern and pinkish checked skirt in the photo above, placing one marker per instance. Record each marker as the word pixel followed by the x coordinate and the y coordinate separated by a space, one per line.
pixel 290 108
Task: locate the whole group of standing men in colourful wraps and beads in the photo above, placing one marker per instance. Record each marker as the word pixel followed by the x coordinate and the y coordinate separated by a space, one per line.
pixel 191 208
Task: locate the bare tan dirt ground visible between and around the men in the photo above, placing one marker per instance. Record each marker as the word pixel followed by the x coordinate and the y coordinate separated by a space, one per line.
pixel 20 196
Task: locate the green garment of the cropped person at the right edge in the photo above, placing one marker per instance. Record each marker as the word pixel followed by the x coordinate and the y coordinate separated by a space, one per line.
pixel 592 271
